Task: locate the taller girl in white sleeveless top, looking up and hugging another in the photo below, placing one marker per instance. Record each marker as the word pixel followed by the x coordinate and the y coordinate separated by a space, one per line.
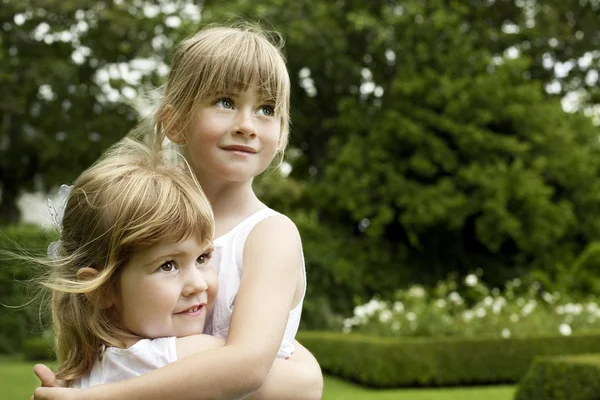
pixel 226 105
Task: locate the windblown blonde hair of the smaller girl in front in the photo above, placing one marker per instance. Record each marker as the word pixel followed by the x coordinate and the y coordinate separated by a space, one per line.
pixel 130 199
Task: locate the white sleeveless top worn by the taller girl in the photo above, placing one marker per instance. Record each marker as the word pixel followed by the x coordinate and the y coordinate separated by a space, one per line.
pixel 229 259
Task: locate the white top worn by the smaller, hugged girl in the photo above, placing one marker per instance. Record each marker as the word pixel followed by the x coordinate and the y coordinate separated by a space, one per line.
pixel 120 364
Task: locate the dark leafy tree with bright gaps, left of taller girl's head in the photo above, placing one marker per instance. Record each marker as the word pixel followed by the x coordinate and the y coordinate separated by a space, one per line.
pixel 57 112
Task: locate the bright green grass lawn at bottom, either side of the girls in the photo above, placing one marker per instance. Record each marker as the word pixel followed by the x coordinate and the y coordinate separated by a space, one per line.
pixel 17 383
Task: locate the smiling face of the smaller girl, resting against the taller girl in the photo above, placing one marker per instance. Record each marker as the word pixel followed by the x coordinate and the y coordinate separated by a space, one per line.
pixel 167 289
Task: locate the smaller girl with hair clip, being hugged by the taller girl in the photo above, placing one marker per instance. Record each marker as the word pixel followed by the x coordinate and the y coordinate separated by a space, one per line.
pixel 133 264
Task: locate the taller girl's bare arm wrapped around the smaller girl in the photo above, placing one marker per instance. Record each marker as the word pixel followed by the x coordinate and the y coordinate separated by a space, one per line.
pixel 272 266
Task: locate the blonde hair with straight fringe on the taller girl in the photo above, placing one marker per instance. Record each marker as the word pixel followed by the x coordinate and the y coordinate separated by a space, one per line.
pixel 215 61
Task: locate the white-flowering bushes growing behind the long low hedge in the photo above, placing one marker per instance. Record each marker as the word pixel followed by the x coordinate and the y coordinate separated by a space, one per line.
pixel 471 309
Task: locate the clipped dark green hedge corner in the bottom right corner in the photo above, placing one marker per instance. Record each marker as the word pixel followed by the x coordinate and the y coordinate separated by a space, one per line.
pixel 562 378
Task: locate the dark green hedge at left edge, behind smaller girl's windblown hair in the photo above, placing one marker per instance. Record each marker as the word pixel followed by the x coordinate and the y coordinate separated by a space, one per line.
pixel 19 320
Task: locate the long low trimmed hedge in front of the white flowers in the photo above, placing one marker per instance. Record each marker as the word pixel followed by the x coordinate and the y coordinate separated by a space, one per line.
pixel 399 362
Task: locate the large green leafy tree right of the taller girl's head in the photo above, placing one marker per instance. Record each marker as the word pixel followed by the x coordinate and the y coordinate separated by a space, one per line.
pixel 427 140
